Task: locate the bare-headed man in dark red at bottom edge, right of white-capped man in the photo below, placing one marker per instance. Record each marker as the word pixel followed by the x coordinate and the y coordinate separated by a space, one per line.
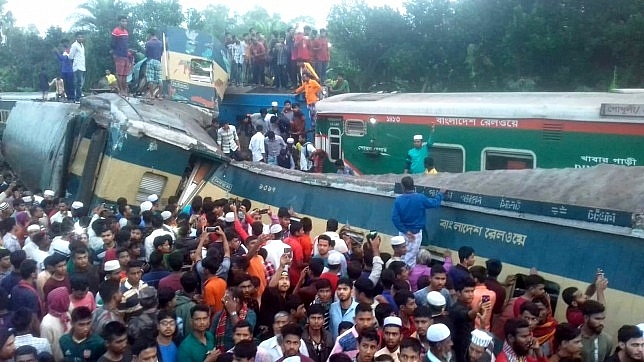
pixel 519 341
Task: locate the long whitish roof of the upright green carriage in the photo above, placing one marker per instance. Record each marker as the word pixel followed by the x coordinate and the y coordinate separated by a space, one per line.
pixel 578 106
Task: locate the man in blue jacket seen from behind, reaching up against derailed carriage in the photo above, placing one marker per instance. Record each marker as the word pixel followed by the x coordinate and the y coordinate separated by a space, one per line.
pixel 408 216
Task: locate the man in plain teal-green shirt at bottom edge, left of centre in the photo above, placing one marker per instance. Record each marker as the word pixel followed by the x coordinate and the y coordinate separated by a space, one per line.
pixel 199 346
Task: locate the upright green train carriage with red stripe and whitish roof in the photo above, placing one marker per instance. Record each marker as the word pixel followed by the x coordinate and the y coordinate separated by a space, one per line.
pixel 483 131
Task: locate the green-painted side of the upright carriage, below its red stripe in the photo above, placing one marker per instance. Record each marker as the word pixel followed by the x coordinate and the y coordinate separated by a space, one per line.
pixel 383 147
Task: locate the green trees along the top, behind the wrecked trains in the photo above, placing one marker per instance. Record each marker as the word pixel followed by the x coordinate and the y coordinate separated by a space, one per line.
pixel 435 46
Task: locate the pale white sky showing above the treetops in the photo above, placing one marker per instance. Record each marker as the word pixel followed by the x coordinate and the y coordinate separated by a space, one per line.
pixel 45 13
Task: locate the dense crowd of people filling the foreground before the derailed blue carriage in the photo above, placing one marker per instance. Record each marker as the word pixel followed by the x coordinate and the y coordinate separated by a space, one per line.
pixel 219 280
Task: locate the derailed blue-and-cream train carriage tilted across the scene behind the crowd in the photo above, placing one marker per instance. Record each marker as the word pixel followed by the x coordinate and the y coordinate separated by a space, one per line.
pixel 567 222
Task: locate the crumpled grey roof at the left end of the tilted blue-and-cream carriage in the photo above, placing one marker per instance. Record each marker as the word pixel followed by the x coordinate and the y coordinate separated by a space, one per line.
pixel 167 121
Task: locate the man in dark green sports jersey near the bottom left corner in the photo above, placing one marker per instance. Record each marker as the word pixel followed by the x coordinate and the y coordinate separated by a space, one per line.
pixel 79 345
